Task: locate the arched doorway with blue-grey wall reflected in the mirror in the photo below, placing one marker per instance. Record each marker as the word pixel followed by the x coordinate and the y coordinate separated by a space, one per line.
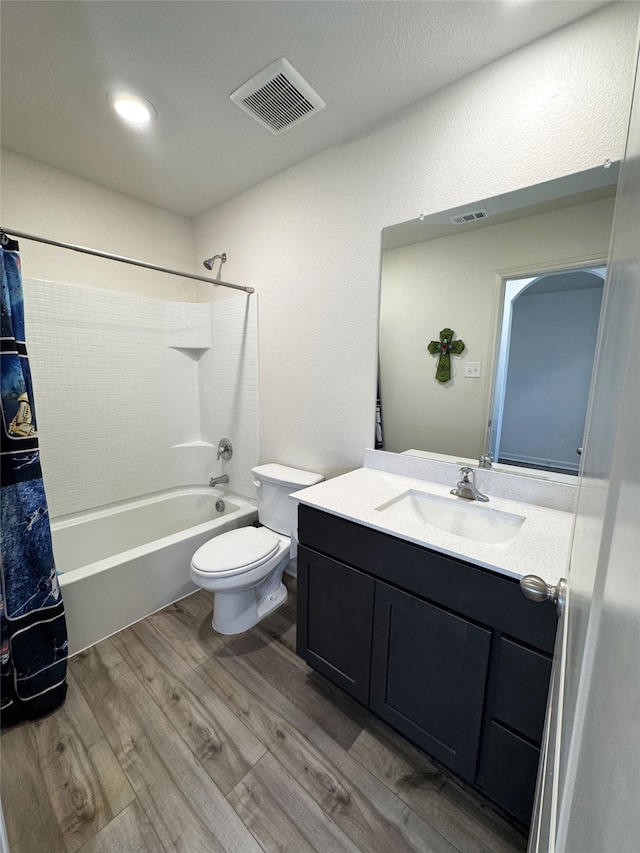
pixel 549 330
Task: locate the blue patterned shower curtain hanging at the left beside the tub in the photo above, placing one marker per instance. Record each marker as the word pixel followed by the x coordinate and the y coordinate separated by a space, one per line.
pixel 33 633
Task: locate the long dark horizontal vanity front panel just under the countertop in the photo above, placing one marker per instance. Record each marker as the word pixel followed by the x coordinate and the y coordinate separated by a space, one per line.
pixel 484 596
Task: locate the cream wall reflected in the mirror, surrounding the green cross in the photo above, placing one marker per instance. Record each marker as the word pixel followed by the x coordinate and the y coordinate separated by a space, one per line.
pixel 455 282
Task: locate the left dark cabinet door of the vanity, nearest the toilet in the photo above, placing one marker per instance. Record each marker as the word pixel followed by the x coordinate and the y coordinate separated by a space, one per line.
pixel 335 617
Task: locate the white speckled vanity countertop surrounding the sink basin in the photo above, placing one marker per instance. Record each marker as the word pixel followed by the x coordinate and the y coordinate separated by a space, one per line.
pixel 541 546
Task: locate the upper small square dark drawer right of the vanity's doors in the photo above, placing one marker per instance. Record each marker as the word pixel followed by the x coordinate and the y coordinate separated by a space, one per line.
pixel 522 686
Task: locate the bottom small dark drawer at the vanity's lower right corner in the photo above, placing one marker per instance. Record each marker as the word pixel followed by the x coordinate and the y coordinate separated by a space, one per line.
pixel 509 772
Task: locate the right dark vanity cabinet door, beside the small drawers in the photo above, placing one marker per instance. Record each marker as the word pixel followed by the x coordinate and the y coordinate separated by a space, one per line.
pixel 428 675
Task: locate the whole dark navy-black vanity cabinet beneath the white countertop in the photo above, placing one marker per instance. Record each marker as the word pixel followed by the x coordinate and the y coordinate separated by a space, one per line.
pixel 451 655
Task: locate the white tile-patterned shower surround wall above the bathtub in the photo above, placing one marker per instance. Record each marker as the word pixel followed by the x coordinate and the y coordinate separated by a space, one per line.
pixel 133 394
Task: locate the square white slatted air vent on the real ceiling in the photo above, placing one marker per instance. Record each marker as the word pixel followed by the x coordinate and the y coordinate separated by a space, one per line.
pixel 278 97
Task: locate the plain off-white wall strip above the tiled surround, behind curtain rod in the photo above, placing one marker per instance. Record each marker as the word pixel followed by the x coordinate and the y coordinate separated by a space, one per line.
pixel 47 202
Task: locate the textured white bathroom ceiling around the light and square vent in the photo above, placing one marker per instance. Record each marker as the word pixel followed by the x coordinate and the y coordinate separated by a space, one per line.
pixel 369 61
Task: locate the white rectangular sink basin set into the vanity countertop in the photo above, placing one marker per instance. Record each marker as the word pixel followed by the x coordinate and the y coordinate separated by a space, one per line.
pixel 454 515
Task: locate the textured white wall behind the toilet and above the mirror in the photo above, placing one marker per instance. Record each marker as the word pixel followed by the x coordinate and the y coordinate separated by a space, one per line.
pixel 309 238
